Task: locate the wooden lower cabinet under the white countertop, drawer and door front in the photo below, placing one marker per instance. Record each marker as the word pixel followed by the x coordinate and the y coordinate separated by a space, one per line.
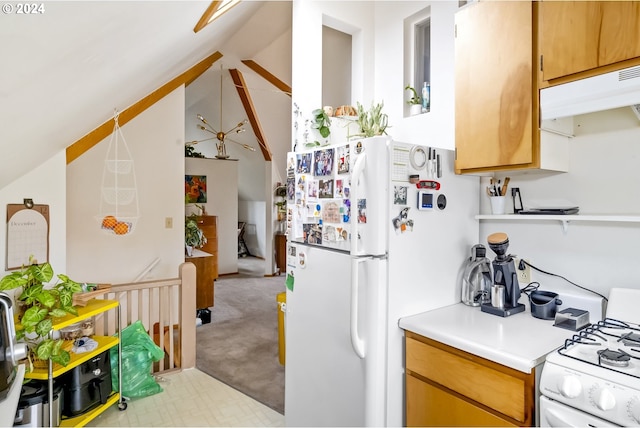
pixel 449 387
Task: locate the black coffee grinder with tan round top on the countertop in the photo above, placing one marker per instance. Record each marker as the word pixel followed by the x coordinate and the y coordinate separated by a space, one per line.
pixel 505 291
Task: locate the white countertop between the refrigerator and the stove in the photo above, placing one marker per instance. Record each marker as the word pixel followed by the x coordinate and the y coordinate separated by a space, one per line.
pixel 519 341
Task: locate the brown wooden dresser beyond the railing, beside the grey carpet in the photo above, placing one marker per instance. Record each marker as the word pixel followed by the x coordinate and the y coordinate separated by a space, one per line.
pixel 206 266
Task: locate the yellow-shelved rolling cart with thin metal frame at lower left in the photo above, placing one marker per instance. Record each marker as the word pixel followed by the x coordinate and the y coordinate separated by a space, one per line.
pixel 93 307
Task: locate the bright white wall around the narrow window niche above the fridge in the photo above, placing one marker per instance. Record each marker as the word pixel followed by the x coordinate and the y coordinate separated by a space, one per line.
pixel 437 127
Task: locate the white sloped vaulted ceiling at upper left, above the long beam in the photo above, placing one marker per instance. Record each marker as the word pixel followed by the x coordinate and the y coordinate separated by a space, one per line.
pixel 64 70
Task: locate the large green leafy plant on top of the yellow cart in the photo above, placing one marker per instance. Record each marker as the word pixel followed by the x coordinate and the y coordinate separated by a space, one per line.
pixel 41 307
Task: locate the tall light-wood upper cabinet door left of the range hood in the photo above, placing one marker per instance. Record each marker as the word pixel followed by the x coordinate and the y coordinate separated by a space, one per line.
pixel 494 85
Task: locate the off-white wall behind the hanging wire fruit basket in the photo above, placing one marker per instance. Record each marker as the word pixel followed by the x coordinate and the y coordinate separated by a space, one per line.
pixel 156 141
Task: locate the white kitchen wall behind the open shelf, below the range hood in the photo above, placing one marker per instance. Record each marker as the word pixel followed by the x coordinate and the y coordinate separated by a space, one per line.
pixel 603 178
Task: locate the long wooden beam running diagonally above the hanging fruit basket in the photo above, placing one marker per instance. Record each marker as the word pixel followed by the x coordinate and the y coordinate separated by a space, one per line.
pixel 85 143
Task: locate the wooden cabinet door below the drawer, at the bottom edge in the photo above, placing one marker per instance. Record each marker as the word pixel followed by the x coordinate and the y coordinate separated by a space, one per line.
pixel 428 405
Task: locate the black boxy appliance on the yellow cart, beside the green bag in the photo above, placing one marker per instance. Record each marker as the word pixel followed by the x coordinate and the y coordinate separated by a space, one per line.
pixel 87 386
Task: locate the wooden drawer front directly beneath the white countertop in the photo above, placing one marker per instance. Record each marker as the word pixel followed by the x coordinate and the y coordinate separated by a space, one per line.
pixel 501 388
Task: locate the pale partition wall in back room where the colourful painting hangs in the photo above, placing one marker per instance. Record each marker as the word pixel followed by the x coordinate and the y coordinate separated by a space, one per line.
pixel 222 201
